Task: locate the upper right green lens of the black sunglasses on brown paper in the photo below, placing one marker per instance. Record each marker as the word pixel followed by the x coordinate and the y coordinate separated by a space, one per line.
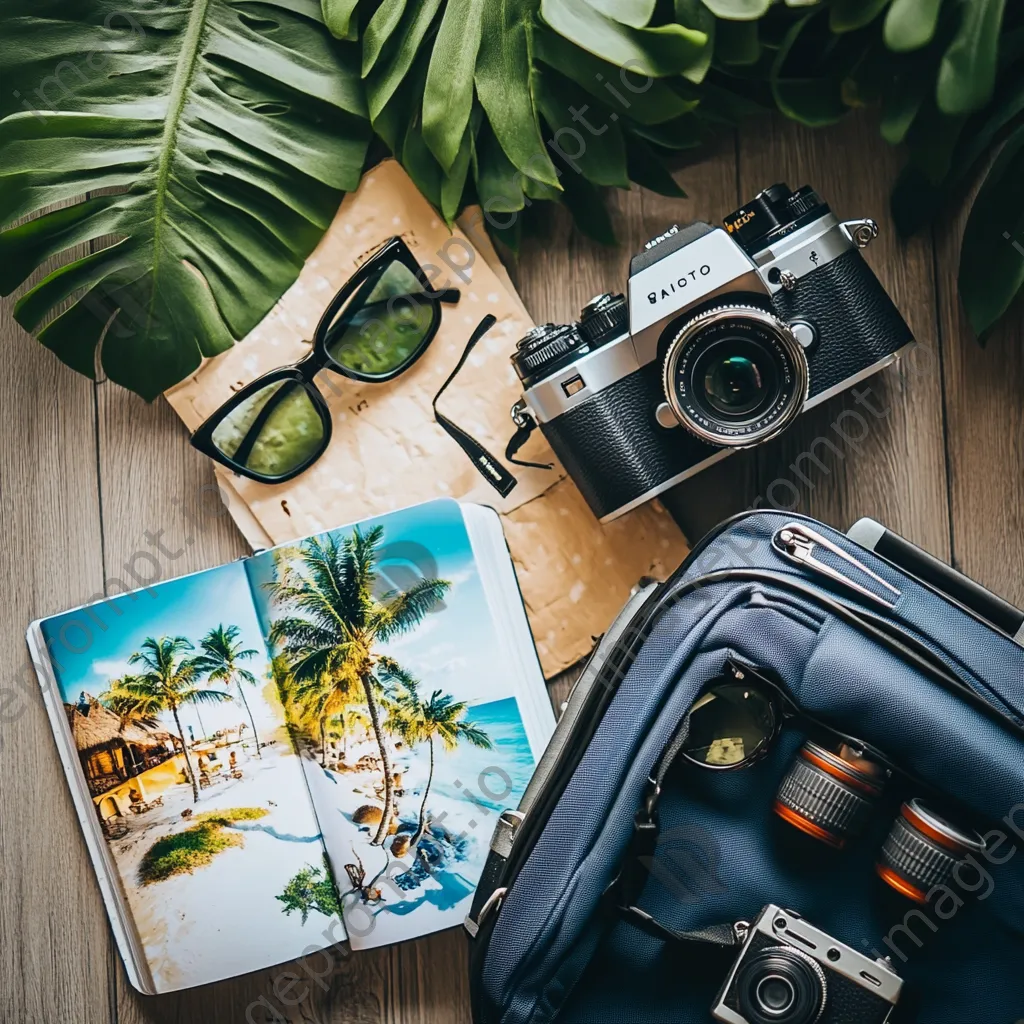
pixel 385 326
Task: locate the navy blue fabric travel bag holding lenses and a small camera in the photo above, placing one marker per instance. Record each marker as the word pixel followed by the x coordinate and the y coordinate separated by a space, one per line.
pixel 918 676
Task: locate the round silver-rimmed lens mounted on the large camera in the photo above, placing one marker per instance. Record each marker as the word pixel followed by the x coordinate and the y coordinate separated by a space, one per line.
pixel 736 376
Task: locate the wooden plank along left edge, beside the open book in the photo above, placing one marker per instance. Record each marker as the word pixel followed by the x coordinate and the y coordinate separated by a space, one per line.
pixel 56 963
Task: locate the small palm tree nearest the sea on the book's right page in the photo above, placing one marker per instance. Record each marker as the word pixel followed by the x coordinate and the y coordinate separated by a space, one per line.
pixel 439 718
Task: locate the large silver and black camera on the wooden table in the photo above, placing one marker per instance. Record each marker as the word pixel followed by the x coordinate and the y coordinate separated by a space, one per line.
pixel 729 334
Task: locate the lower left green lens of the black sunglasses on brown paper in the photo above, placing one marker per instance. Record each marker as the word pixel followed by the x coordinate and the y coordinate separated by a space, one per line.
pixel 273 433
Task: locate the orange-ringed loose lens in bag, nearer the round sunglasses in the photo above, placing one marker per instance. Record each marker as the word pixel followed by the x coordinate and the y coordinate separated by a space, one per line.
pixel 830 795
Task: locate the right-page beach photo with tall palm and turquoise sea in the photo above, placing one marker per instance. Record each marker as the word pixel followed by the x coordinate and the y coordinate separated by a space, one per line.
pixel 403 709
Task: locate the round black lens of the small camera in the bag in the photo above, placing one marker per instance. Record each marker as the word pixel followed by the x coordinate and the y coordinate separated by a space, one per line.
pixel 781 986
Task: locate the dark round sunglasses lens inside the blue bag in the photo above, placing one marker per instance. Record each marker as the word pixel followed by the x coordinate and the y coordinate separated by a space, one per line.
pixel 730 724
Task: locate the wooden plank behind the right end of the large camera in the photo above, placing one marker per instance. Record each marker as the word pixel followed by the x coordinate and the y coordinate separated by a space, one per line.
pixel 889 466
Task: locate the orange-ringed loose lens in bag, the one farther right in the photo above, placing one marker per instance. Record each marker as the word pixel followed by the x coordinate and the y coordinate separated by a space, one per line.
pixel 923 851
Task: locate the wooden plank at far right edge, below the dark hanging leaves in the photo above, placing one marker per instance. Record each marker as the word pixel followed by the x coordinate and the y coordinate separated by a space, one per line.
pixel 986 432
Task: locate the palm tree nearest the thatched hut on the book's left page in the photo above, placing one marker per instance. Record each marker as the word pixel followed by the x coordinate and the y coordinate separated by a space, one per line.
pixel 167 682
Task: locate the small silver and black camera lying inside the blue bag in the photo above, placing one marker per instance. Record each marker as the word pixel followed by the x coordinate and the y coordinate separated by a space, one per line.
pixel 790 972
